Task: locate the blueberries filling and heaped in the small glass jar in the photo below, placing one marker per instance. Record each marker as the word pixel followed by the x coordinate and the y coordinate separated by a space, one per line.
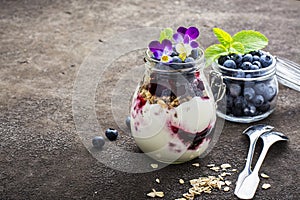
pixel 248 97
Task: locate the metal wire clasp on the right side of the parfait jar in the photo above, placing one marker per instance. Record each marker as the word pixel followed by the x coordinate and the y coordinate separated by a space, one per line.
pixel 217 85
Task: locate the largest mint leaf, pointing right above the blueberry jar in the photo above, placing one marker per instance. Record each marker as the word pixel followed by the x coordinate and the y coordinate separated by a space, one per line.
pixel 252 40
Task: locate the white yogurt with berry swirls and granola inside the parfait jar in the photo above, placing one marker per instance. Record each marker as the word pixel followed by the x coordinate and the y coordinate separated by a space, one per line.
pixel 172 131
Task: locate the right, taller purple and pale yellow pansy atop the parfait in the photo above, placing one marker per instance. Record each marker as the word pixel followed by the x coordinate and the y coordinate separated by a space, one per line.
pixel 185 39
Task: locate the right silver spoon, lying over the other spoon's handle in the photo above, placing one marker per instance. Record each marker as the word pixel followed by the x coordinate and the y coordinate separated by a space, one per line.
pixel 250 183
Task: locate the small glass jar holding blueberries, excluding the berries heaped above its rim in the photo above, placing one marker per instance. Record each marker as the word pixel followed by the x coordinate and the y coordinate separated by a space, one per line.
pixel 251 95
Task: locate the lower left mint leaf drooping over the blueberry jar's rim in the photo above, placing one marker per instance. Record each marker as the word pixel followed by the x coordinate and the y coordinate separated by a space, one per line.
pixel 213 52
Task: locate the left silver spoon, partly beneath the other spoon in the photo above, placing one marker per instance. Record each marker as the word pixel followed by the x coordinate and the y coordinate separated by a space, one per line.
pixel 253 133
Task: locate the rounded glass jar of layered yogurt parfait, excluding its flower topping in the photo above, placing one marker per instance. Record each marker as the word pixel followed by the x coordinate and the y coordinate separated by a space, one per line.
pixel 173 110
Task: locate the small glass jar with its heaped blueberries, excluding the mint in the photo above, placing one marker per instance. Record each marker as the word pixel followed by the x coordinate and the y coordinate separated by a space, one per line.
pixel 251 86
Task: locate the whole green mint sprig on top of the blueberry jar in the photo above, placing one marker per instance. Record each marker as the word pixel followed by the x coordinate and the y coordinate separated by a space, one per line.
pixel 242 42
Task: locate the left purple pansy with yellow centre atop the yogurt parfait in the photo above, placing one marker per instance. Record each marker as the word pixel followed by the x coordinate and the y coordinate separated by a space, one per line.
pixel 161 51
